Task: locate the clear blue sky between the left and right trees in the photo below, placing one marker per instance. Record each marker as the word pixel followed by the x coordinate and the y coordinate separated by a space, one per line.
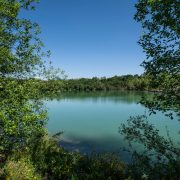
pixel 90 38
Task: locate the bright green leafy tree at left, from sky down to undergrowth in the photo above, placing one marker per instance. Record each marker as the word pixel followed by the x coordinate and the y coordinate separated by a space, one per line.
pixel 21 114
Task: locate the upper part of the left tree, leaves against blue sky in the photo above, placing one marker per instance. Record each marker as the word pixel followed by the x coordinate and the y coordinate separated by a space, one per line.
pixel 20 46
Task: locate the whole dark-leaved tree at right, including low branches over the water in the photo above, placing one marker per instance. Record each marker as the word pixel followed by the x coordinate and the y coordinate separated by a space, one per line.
pixel 160 41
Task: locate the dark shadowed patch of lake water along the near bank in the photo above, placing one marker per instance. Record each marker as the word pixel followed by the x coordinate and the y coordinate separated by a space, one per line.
pixel 105 144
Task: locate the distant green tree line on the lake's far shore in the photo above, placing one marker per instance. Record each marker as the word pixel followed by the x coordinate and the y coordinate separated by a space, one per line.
pixel 125 82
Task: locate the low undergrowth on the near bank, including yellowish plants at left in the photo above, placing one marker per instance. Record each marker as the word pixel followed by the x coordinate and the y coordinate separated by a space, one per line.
pixel 45 159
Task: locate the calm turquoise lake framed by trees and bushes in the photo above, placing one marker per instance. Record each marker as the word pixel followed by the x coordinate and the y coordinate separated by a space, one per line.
pixel 90 121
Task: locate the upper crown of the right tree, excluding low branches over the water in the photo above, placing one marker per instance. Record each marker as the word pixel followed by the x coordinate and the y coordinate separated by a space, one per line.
pixel 160 41
